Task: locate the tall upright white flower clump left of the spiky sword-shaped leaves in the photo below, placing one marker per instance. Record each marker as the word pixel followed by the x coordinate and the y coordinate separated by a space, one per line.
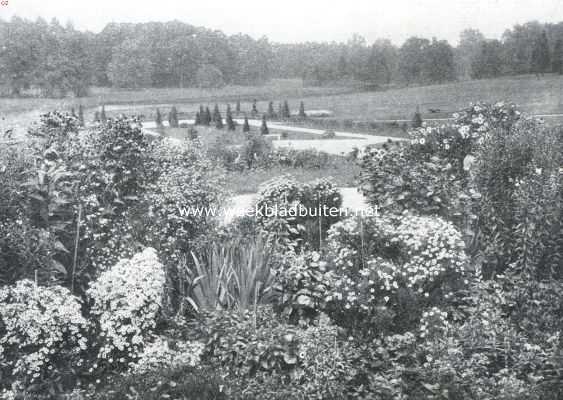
pixel 127 299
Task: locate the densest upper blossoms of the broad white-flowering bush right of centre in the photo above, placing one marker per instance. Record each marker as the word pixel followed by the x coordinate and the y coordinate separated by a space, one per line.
pixel 414 250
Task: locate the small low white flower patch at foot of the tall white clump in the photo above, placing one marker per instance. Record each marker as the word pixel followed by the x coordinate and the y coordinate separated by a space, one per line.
pixel 159 354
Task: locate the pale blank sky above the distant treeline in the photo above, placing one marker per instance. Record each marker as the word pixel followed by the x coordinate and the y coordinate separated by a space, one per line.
pixel 291 21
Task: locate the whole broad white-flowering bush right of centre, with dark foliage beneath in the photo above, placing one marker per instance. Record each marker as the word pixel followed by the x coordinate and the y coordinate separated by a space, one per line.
pixel 383 267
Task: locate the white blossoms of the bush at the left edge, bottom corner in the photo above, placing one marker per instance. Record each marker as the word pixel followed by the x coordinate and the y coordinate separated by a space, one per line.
pixel 39 323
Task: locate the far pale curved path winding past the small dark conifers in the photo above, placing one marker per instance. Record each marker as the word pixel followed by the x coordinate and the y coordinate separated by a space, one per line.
pixel 336 146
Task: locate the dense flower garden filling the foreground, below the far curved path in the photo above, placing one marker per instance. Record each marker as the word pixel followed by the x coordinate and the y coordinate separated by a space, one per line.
pixel 454 291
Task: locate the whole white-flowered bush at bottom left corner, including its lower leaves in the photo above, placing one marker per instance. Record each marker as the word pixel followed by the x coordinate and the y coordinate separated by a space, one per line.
pixel 42 337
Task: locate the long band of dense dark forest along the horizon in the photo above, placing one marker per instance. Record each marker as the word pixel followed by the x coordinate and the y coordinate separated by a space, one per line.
pixel 49 59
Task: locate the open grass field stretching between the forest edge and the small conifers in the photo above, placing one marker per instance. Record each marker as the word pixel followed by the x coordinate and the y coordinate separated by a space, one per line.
pixel 535 96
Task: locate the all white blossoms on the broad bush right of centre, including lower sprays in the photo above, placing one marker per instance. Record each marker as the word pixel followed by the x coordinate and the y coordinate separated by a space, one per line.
pixel 430 248
